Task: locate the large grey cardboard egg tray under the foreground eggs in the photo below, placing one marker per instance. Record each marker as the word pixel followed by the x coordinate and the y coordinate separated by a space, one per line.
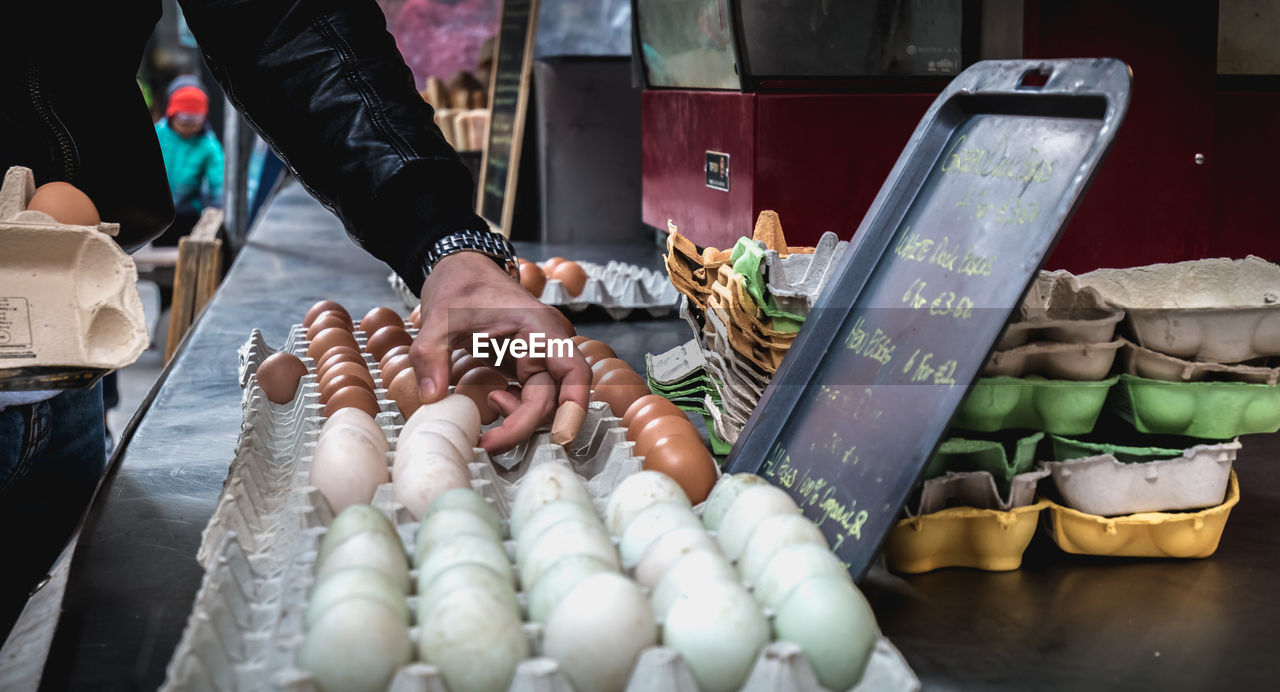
pixel 259 553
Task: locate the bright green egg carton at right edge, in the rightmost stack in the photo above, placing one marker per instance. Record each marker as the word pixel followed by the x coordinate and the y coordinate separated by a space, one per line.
pixel 1212 411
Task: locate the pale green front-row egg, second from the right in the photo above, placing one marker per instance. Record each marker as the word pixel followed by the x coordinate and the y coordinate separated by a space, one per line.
pixel 720 631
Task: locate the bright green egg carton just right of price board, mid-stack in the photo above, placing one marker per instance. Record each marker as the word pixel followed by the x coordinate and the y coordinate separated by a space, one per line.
pixel 1062 407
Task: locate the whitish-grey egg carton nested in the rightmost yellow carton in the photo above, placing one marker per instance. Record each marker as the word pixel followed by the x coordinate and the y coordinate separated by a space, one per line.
pixel 1109 488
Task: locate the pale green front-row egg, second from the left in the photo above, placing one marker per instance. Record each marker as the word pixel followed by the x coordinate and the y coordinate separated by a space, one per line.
pixel 476 639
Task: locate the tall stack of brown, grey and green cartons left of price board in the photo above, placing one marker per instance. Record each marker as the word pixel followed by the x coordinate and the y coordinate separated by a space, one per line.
pixel 746 308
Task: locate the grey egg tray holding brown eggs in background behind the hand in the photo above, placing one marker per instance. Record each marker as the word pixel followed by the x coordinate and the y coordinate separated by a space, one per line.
pixel 619 288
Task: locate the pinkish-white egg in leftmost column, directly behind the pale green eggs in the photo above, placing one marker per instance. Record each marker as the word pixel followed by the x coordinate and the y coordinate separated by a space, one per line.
pixel 348 469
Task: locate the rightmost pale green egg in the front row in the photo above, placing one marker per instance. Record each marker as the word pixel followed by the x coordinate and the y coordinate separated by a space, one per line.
pixel 833 622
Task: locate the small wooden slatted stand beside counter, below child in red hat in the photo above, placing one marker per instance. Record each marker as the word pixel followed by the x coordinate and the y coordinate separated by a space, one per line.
pixel 196 277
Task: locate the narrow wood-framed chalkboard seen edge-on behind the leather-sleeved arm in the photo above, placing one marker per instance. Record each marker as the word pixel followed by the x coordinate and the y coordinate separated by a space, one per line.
pixel 509 102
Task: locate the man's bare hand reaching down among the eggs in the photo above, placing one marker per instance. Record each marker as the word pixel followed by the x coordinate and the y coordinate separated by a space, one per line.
pixel 468 294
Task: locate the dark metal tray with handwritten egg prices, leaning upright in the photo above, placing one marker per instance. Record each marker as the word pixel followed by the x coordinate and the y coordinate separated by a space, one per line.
pixel 947 253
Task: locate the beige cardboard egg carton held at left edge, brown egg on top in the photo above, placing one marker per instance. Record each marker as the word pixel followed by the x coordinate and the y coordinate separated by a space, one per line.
pixel 70 308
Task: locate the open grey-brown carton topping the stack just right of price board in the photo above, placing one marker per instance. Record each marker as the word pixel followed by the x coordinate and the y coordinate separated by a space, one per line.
pixel 1058 309
